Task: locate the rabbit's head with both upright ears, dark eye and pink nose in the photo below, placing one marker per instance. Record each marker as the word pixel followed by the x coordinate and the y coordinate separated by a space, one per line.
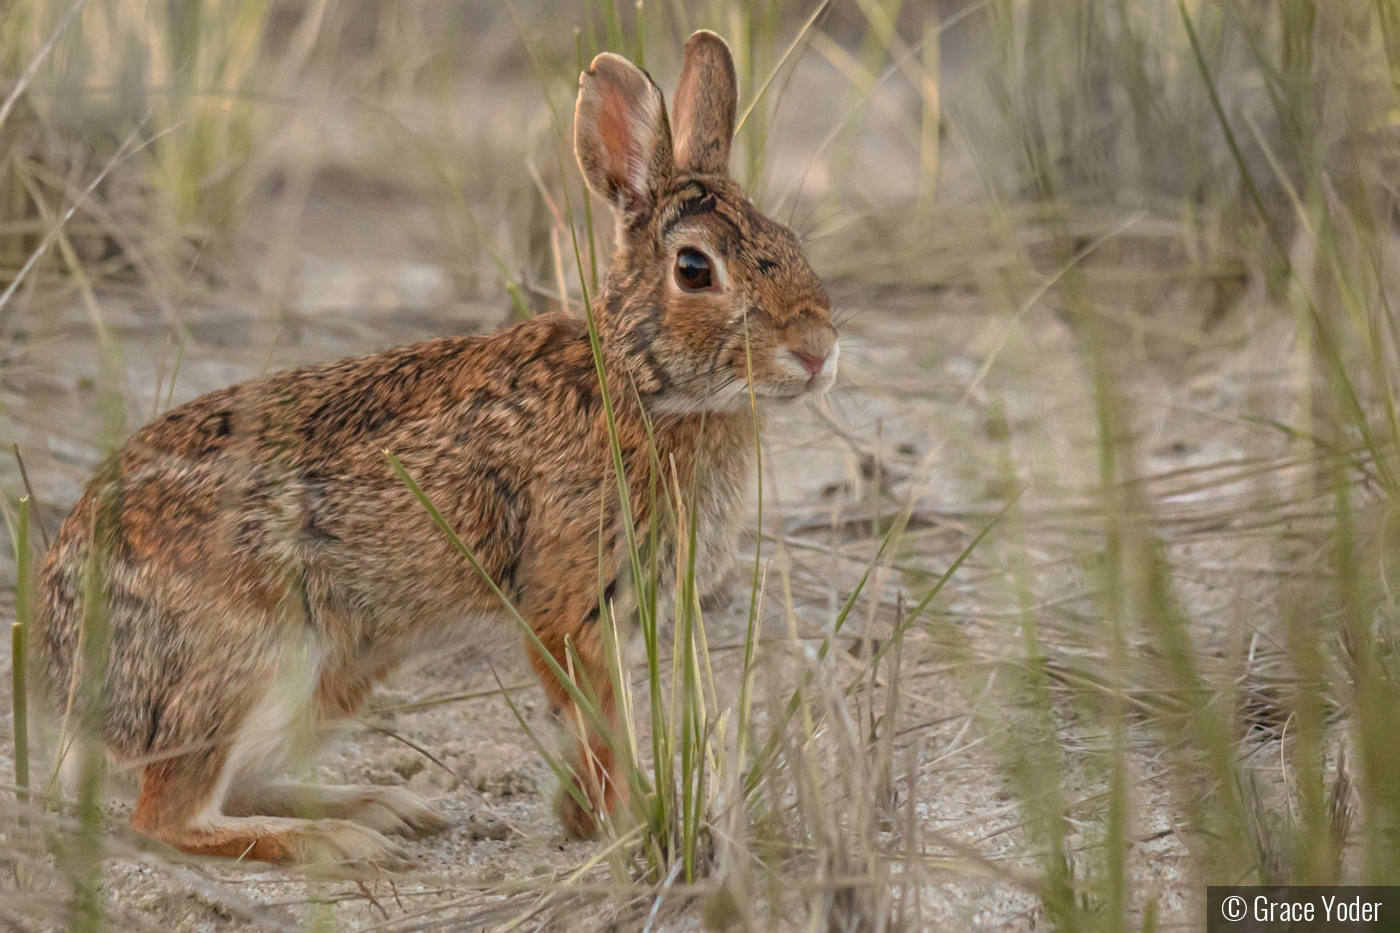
pixel 702 286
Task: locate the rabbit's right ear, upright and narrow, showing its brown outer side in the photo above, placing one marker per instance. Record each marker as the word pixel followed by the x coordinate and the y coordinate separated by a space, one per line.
pixel 706 102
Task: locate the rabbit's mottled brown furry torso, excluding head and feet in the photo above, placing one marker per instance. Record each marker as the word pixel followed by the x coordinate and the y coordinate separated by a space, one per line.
pixel 269 512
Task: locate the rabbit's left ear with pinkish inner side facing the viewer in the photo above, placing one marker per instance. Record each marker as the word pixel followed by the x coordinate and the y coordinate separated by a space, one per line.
pixel 621 134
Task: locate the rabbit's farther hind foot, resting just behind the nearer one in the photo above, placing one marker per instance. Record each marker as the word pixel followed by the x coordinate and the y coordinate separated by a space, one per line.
pixel 387 810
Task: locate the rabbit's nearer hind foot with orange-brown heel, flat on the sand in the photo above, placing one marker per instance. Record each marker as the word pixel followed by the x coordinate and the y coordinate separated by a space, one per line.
pixel 178 806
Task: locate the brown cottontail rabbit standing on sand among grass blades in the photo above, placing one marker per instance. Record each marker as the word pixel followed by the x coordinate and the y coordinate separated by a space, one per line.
pixel 261 567
